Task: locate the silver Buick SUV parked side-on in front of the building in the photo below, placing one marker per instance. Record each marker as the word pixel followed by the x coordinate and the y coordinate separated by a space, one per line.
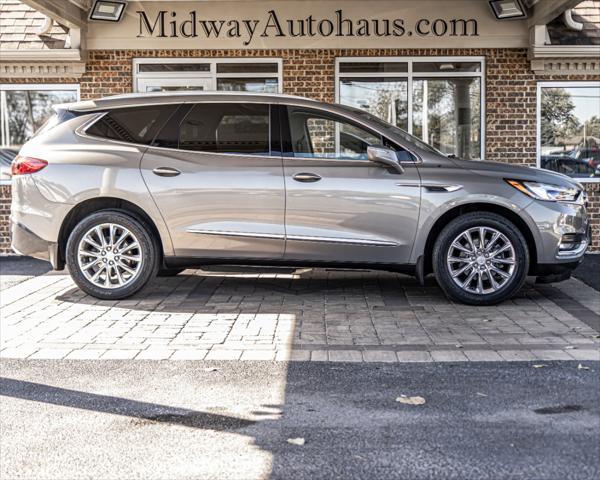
pixel 122 188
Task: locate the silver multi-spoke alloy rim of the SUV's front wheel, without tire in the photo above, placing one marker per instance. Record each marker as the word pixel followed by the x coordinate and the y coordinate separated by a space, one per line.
pixel 481 260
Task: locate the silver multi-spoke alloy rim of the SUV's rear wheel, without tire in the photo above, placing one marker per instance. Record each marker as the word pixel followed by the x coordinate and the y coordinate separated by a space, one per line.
pixel 109 256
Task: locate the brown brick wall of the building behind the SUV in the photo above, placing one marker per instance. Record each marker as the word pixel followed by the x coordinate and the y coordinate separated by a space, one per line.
pixel 510 91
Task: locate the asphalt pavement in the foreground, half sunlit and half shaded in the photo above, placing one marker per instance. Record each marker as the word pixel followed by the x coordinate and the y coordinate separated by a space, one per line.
pixel 158 420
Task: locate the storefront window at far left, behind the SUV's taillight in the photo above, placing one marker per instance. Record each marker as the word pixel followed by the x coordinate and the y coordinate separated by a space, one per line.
pixel 24 109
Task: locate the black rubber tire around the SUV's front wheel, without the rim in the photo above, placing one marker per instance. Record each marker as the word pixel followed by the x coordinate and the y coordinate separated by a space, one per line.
pixel 461 224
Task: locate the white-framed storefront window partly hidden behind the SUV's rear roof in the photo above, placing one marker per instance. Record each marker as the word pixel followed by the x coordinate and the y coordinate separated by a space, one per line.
pixel 237 75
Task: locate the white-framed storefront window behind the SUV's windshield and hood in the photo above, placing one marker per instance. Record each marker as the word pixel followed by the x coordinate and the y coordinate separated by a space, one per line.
pixel 437 100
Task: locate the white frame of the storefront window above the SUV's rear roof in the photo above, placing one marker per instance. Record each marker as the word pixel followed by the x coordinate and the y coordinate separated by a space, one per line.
pixel 211 74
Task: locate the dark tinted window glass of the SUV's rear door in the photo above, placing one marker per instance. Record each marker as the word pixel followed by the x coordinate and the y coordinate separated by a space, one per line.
pixel 241 128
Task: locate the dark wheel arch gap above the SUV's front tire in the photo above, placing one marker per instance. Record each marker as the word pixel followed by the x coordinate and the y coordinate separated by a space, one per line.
pixel 459 210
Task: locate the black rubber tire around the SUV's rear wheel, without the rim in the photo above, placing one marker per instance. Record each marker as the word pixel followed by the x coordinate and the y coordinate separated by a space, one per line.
pixel 148 249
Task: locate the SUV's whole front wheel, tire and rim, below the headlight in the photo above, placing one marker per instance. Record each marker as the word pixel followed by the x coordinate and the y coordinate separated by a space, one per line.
pixel 480 259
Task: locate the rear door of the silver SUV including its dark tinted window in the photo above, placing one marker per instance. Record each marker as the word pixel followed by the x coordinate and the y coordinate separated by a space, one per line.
pixel 211 173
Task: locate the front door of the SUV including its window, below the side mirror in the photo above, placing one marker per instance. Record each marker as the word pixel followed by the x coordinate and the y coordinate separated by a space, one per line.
pixel 339 205
